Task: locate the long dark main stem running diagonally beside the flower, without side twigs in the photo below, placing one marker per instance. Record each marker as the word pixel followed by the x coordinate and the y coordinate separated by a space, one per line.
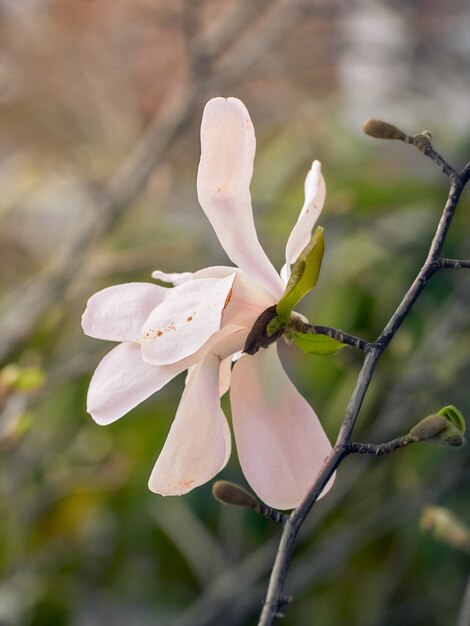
pixel 373 352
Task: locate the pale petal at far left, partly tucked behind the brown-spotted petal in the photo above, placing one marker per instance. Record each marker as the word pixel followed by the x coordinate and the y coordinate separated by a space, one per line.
pixel 119 312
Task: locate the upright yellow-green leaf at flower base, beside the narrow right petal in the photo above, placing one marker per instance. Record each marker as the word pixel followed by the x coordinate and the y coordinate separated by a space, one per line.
pixel 304 275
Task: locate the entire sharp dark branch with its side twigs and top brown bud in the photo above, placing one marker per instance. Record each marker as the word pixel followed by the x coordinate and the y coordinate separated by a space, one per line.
pixel 373 351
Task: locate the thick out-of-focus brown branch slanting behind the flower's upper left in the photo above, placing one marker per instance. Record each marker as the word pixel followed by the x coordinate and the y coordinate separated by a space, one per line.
pixel 23 309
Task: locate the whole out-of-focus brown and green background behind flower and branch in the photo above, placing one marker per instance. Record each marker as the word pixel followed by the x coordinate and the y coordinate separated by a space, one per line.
pixel 100 106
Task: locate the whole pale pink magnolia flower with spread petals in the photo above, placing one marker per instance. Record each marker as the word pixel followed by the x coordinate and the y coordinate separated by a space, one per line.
pixel 201 325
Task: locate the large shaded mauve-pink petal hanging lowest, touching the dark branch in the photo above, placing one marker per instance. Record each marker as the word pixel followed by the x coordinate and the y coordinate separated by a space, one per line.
pixel 281 443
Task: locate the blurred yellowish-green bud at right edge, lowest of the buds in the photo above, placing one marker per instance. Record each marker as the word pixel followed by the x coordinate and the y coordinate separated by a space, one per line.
pixel 445 526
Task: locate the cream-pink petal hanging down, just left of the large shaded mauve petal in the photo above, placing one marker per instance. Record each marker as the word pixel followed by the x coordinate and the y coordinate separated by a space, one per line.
pixel 198 444
